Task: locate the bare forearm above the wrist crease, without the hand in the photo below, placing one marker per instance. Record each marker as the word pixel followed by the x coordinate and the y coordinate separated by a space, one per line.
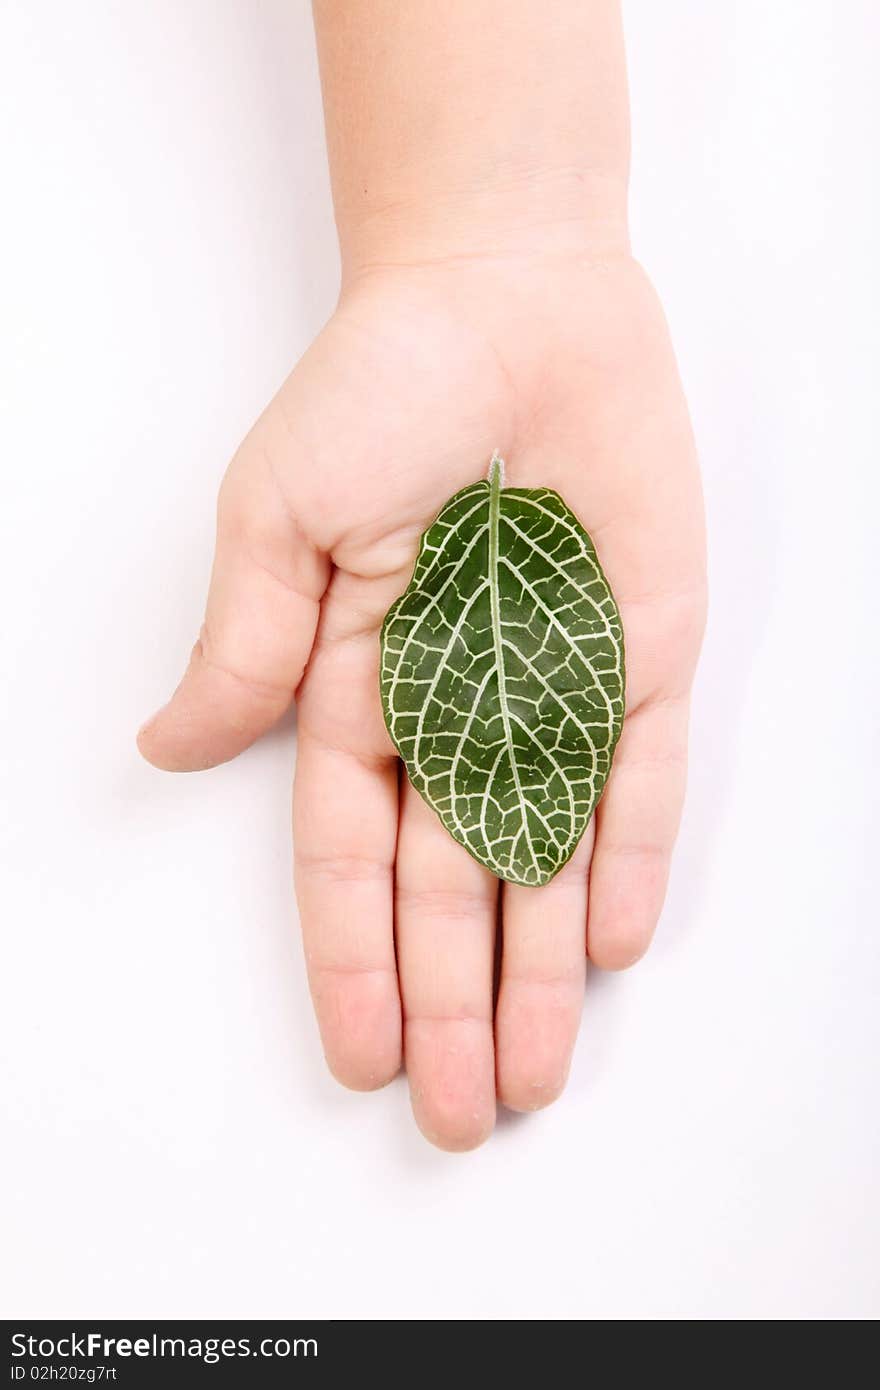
pixel 472 127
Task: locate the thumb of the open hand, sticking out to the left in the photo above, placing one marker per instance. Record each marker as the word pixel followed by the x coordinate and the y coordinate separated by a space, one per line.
pixel 259 628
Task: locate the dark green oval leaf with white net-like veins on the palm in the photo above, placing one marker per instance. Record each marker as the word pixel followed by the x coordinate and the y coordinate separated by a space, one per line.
pixel 503 676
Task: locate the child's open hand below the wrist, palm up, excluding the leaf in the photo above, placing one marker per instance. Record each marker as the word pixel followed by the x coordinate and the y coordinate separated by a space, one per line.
pixel 562 365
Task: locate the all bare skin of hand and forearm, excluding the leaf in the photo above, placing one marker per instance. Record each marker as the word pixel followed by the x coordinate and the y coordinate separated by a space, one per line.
pixel 490 301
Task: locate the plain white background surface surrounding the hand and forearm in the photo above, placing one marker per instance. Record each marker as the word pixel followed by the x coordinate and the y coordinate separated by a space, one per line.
pixel 173 1143
